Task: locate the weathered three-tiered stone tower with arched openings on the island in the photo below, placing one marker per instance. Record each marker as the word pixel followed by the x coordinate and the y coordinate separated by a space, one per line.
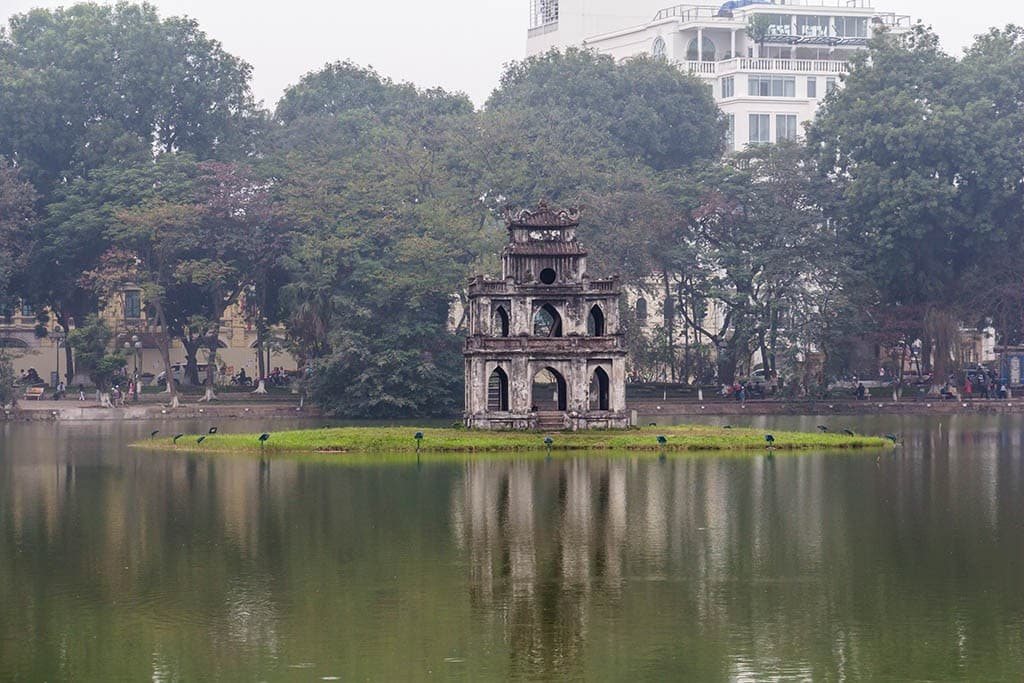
pixel 545 350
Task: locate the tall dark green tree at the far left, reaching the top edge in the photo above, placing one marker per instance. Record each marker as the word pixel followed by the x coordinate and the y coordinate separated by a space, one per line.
pixel 93 88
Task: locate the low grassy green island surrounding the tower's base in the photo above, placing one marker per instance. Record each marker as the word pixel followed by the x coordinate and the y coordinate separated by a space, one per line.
pixel 401 440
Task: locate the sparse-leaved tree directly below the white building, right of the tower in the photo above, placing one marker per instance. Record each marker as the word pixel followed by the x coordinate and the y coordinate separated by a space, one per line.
pixel 753 251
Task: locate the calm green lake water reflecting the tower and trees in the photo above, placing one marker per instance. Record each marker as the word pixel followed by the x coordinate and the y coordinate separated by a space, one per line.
pixel 123 565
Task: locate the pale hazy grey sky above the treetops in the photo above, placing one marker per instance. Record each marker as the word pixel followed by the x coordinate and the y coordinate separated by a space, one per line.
pixel 456 45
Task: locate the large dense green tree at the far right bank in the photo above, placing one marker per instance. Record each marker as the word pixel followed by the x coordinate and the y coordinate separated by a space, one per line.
pixel 927 187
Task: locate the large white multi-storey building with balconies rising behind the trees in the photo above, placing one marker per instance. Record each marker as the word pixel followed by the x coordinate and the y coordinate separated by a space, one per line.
pixel 767 90
